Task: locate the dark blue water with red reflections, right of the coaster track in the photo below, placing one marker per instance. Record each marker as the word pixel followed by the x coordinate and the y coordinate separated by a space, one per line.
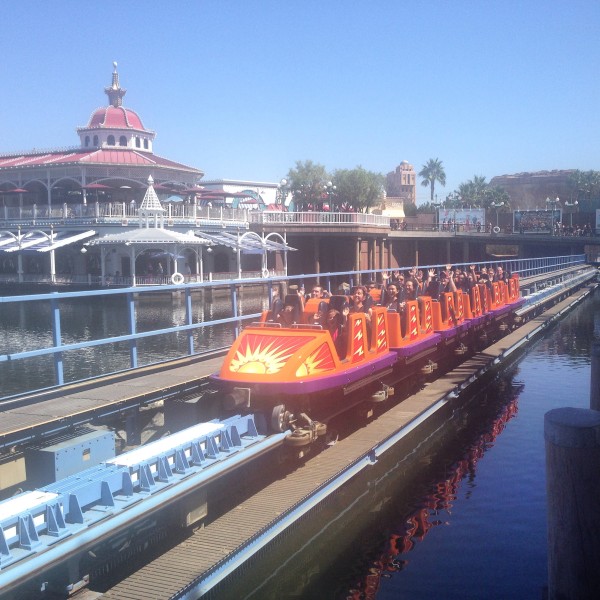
pixel 462 517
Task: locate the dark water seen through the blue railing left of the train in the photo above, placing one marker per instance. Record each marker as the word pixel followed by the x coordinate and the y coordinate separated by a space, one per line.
pixel 27 326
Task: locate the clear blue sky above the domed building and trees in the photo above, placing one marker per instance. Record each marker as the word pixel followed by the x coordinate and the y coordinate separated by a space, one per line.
pixel 243 89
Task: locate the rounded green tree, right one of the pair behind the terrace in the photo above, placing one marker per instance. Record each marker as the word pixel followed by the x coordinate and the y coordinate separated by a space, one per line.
pixel 358 188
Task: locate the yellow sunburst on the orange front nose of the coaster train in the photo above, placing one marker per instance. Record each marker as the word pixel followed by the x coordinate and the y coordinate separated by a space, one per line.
pixel 264 354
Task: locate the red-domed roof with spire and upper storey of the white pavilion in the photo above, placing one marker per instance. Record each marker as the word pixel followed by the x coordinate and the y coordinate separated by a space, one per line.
pixel 113 161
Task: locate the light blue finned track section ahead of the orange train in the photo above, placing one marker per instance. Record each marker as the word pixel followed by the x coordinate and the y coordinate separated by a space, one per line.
pixel 41 527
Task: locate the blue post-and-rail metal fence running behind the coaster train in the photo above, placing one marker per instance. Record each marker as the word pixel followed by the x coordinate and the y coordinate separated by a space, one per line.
pixel 524 267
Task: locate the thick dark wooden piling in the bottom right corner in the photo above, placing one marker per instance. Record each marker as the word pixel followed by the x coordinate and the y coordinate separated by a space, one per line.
pixel 573 495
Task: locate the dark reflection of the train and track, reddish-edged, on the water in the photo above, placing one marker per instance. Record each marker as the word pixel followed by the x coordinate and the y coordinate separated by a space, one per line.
pixel 402 498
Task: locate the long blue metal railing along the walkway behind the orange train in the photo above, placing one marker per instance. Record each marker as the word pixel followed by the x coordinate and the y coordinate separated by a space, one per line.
pixel 264 287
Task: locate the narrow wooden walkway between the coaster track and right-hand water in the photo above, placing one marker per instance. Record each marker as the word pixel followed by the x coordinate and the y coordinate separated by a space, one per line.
pixel 182 568
